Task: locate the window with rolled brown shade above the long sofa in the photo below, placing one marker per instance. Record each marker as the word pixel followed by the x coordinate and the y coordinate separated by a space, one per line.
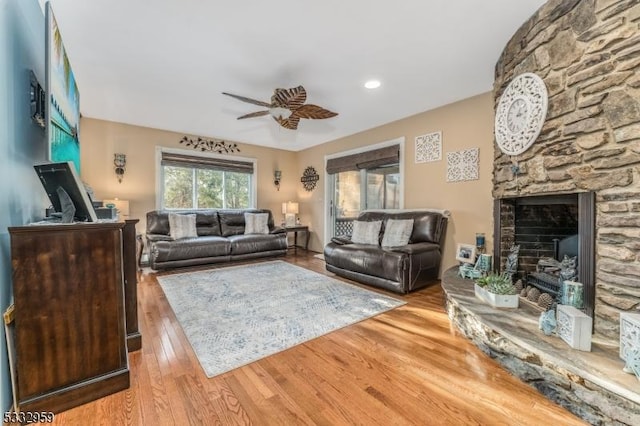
pixel 204 182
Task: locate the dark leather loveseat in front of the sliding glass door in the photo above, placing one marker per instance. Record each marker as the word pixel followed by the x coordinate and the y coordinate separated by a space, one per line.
pixel 400 269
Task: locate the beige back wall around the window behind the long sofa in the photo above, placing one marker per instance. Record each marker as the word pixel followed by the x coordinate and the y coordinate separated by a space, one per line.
pixel 101 139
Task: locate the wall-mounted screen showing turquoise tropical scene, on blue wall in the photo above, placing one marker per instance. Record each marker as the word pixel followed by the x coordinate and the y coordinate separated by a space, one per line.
pixel 63 106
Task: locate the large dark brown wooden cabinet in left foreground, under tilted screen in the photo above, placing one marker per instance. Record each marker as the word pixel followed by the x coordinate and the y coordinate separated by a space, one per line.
pixel 70 331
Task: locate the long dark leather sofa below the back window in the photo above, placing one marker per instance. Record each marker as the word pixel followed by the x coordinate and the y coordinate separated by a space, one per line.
pixel 220 239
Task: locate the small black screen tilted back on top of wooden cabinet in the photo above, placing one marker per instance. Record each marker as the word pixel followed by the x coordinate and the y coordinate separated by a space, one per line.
pixel 62 175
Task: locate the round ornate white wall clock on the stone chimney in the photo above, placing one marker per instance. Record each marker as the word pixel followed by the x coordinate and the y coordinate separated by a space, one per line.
pixel 521 113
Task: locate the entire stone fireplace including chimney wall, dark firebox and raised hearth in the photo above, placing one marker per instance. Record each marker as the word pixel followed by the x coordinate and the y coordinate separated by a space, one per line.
pixel 579 180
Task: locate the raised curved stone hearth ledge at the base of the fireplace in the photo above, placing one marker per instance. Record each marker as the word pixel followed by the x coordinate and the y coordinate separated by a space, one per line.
pixel 589 384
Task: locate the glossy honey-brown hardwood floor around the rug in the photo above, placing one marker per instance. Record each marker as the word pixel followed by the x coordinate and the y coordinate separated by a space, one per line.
pixel 407 366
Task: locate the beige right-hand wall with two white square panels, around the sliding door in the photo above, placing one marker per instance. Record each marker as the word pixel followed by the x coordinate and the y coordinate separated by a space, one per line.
pixel 465 124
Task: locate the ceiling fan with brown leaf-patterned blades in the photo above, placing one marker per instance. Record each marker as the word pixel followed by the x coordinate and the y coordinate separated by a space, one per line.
pixel 287 107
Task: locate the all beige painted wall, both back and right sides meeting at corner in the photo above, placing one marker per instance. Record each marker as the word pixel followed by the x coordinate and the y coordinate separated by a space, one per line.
pixel 465 124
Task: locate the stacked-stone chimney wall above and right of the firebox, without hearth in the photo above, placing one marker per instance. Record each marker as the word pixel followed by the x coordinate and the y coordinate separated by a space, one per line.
pixel 588 54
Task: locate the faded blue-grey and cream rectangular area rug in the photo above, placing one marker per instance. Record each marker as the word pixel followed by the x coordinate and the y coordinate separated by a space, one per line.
pixel 236 315
